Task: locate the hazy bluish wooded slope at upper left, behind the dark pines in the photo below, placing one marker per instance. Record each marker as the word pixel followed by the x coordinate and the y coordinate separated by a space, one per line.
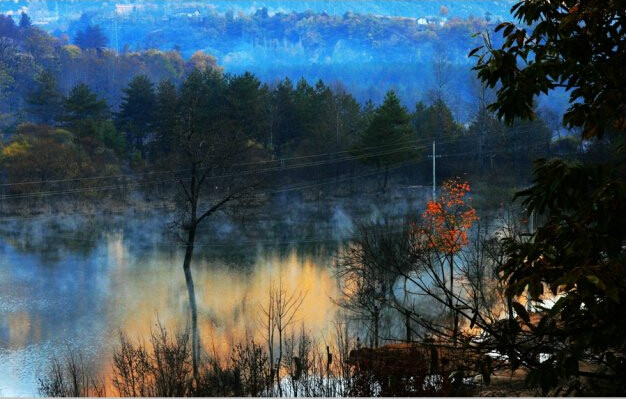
pixel 26 51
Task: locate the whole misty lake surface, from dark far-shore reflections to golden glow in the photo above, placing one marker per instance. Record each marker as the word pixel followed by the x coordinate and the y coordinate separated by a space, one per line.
pixel 74 282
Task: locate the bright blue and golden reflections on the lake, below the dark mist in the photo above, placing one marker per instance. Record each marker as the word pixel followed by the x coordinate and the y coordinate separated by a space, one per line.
pixel 61 290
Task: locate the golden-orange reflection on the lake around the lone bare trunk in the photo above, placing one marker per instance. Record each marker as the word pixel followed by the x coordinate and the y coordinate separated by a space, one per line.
pixel 152 289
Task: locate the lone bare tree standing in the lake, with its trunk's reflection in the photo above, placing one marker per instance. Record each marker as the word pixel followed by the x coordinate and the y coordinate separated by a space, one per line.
pixel 208 157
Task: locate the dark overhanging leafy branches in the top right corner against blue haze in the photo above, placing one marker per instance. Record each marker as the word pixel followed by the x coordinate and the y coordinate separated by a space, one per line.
pixel 577 45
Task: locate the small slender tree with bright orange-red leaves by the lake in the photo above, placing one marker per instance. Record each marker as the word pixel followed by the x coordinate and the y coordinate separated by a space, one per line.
pixel 446 223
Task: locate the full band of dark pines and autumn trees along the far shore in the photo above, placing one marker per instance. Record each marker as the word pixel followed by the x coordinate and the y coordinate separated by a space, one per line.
pixel 58 123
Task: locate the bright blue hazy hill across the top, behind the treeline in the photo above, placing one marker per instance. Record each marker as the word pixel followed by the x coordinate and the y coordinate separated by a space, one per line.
pixel 368 47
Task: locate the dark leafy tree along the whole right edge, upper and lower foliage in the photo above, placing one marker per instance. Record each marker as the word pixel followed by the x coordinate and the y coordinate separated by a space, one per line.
pixel 578 252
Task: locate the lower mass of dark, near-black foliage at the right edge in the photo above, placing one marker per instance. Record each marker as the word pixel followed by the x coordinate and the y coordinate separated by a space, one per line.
pixel 579 254
